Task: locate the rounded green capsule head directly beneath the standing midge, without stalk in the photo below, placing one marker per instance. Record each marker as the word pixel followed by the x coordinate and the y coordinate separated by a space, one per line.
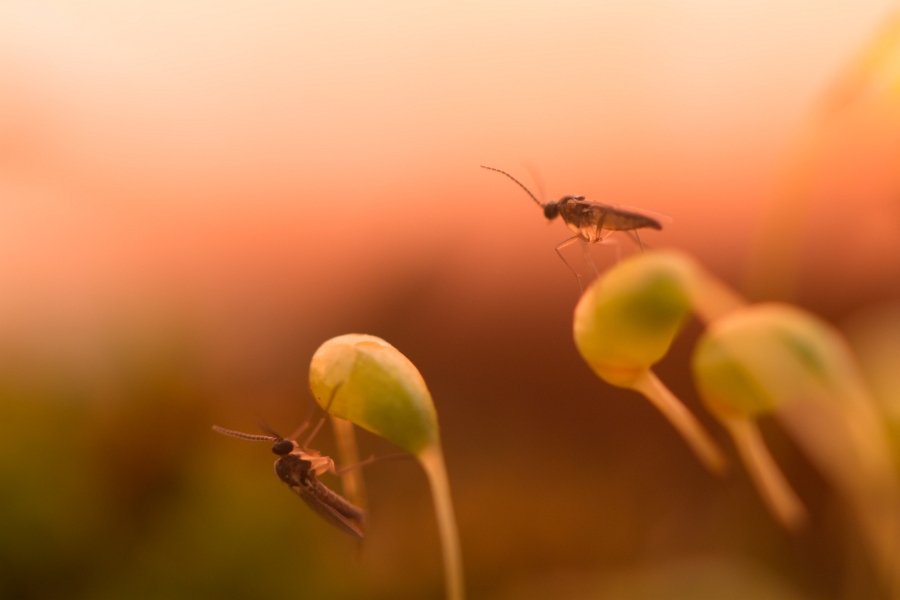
pixel 627 319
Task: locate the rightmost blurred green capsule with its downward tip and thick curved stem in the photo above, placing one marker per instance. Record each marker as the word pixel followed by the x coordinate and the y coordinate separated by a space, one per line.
pixel 776 358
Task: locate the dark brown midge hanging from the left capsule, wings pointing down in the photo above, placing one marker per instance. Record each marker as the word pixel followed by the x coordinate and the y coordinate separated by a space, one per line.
pixel 299 467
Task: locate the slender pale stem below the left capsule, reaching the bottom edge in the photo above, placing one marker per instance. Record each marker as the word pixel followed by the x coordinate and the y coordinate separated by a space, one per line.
pixel 432 460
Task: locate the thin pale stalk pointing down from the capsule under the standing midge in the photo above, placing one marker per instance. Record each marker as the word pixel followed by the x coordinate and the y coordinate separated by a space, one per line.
pixel 683 420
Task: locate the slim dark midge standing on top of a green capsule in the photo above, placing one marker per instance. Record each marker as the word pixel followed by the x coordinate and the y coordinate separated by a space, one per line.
pixel 591 221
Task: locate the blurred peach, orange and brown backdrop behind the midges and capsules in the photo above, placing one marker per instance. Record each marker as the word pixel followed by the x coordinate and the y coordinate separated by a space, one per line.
pixel 194 195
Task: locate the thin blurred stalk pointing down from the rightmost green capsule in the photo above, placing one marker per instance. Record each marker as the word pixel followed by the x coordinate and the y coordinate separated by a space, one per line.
pixel 768 478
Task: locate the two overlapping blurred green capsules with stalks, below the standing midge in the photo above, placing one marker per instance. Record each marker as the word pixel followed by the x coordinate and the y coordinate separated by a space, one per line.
pixel 752 360
